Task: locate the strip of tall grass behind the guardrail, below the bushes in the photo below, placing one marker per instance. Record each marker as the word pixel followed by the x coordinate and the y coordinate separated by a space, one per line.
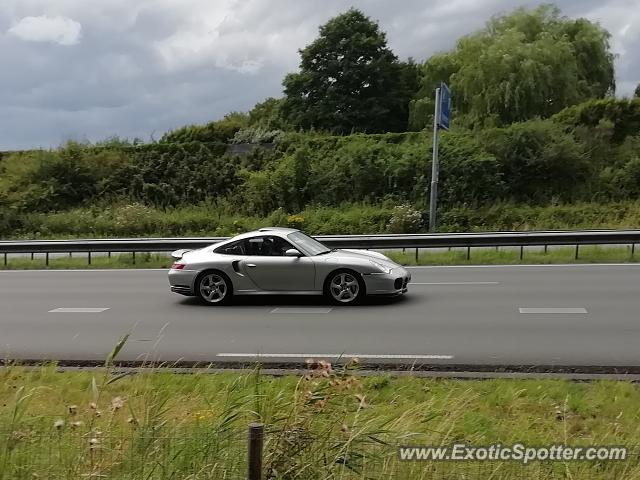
pixel 135 220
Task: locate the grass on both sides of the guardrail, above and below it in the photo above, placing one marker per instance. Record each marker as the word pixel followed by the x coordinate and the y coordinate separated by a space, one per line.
pixel 140 221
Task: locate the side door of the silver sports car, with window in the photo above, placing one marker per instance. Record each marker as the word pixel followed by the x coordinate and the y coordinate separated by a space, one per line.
pixel 268 267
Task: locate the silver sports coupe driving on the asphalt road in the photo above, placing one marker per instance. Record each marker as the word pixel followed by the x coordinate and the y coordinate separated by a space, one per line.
pixel 283 261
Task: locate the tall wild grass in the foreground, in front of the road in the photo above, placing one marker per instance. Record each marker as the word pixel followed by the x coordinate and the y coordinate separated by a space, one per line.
pixel 329 424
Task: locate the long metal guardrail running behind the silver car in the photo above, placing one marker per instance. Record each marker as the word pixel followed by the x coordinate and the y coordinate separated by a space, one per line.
pixel 440 240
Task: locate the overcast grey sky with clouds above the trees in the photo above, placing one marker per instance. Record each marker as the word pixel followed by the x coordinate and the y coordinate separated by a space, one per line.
pixel 90 69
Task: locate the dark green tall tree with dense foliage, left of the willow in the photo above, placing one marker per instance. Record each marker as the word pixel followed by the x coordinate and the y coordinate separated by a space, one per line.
pixel 349 80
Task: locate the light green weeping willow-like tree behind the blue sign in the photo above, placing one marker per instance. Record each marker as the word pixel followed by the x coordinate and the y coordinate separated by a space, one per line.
pixel 526 64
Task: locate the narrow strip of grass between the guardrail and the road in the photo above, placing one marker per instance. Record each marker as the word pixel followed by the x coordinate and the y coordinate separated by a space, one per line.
pixel 478 256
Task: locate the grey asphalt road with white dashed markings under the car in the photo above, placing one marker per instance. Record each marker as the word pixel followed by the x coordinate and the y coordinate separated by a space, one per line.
pixel 504 315
